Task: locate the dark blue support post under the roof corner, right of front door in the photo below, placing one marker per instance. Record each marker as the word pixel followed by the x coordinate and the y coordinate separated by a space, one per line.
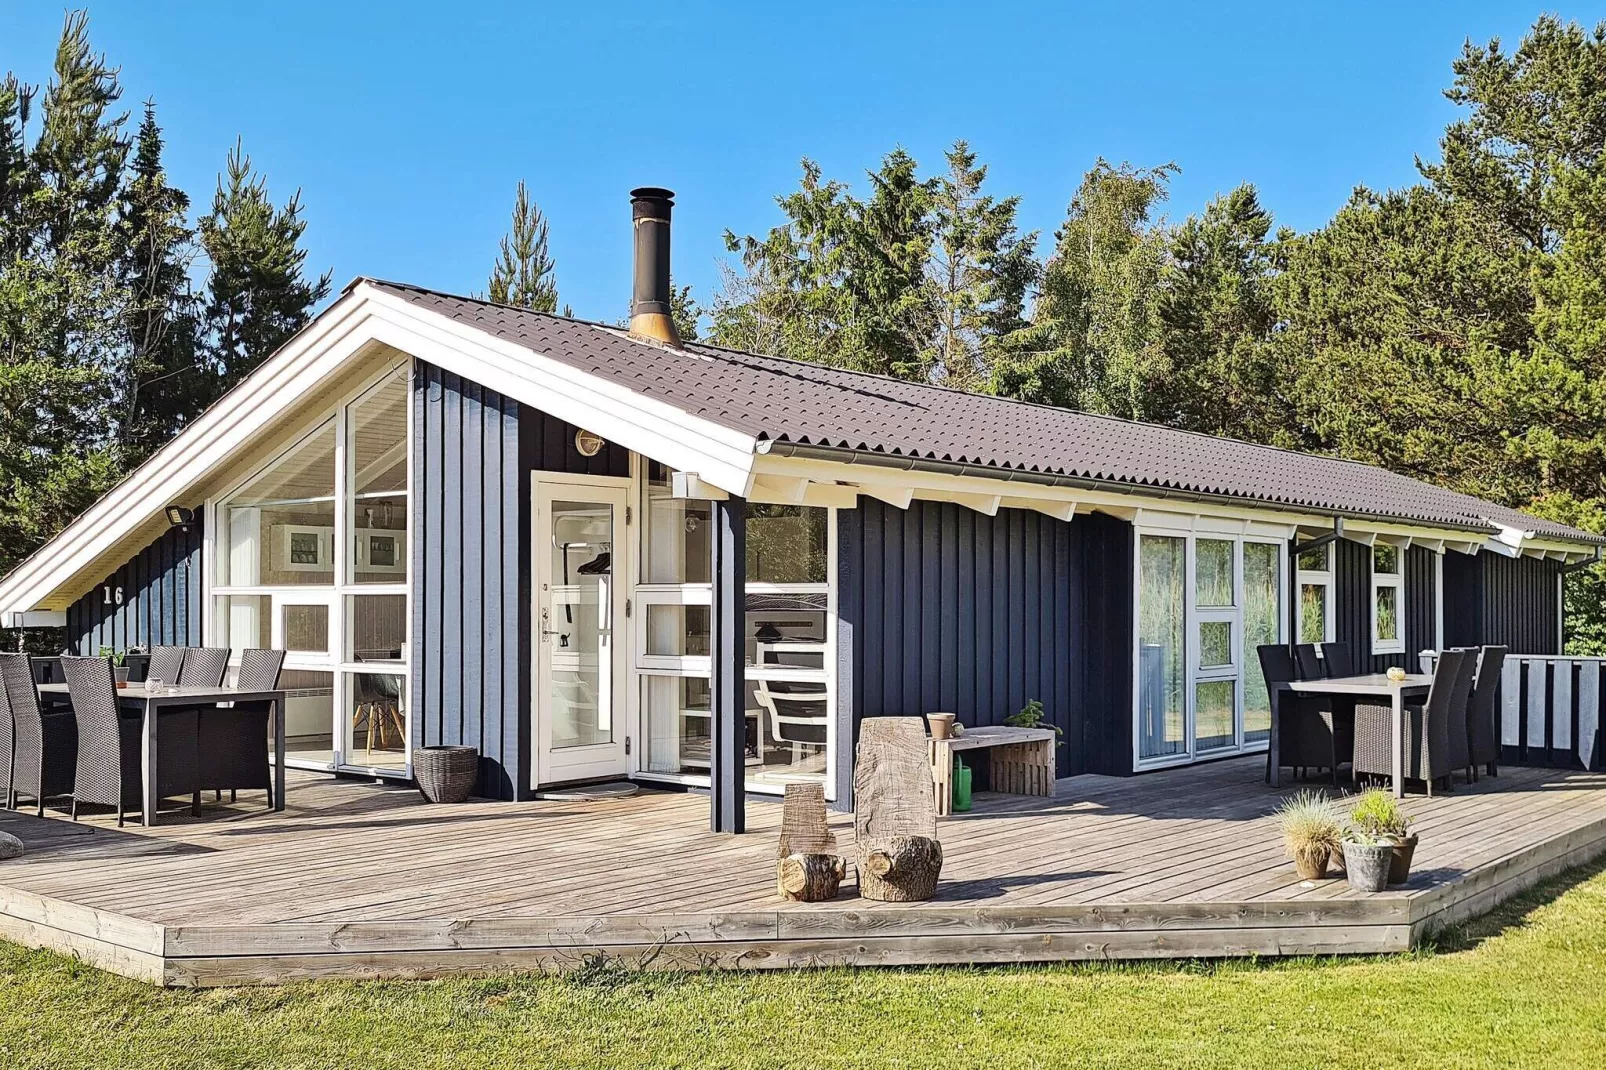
pixel 728 679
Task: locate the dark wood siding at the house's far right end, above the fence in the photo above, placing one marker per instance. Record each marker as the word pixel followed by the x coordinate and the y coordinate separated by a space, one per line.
pixel 1507 602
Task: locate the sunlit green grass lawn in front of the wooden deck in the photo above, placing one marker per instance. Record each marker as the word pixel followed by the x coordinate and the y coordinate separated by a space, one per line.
pixel 1525 987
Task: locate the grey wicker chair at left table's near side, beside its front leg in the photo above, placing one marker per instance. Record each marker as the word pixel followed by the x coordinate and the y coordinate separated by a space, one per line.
pixel 110 746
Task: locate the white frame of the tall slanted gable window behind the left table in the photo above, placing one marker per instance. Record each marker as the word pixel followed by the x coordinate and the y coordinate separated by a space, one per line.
pixel 335 661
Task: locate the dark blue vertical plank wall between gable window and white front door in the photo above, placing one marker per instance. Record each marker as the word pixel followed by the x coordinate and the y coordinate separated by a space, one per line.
pixel 475 454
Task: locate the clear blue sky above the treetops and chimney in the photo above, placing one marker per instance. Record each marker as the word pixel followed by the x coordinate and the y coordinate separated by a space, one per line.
pixel 409 125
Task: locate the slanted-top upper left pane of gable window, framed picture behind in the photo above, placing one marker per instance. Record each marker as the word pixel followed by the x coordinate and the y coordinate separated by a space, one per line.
pixel 279 529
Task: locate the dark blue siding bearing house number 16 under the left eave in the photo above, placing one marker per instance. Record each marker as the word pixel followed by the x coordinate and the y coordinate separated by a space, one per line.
pixel 161 600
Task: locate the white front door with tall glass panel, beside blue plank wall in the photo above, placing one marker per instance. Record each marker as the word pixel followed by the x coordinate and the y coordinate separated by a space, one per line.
pixel 581 582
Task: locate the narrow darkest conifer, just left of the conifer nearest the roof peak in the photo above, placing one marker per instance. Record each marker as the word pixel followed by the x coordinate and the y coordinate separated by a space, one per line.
pixel 161 382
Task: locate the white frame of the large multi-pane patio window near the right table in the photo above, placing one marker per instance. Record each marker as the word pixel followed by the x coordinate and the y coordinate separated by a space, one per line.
pixel 1194 616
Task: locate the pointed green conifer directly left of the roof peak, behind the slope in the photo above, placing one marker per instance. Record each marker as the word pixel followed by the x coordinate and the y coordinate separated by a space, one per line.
pixel 258 290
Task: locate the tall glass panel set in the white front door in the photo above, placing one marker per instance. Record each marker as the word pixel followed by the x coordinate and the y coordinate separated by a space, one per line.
pixel 576 627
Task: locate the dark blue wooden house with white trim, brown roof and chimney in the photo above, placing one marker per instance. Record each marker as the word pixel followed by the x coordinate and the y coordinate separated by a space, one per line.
pixel 601 553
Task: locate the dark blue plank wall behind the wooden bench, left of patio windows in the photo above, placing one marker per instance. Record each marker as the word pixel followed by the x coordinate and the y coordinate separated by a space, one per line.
pixel 952 610
